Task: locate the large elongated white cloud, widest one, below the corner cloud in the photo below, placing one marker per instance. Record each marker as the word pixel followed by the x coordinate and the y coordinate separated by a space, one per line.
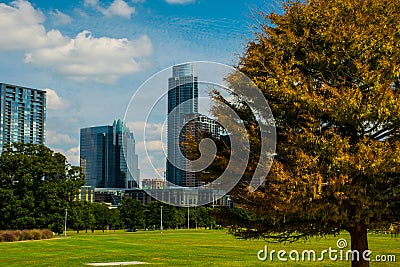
pixel 88 58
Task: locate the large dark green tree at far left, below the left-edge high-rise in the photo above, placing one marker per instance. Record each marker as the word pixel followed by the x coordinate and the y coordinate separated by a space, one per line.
pixel 36 185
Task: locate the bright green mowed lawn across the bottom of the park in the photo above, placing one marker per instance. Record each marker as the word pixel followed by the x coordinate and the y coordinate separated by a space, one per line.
pixel 173 248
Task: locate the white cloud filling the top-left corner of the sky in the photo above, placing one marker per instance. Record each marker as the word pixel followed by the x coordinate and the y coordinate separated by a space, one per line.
pixel 21 28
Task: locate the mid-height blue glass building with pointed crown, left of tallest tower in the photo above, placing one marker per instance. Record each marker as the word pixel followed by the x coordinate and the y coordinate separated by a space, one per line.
pixel 103 159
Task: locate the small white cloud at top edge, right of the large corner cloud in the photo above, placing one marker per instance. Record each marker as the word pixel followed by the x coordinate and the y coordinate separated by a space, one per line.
pixel 117 8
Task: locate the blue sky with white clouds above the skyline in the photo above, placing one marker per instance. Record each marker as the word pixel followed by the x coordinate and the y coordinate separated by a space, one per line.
pixel 91 56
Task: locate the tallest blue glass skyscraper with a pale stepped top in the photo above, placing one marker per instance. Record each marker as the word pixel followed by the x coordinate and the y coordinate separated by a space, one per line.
pixel 182 100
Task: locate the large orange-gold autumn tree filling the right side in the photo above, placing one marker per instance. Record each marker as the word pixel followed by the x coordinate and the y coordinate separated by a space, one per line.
pixel 330 73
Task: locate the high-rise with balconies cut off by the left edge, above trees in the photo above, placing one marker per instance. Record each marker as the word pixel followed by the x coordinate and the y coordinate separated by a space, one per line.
pixel 22 115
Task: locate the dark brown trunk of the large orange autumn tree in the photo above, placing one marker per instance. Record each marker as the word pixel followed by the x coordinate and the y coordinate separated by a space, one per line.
pixel 359 242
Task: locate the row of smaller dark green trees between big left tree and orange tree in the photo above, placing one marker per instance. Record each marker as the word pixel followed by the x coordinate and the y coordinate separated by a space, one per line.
pixel 132 215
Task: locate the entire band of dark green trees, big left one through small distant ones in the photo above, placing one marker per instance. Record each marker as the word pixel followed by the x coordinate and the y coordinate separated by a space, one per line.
pixel 37 185
